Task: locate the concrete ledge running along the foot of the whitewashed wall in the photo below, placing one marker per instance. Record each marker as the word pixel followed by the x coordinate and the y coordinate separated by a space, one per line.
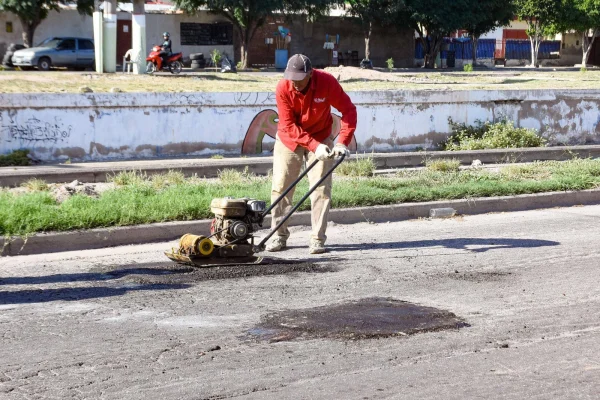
pixel 98 171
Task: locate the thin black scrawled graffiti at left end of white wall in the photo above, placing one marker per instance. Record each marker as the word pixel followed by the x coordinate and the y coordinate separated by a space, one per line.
pixel 34 131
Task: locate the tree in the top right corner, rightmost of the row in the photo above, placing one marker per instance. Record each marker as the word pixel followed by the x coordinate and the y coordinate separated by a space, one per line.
pixel 582 16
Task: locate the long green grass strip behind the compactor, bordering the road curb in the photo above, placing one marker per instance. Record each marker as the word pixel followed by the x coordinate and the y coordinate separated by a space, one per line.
pixel 140 201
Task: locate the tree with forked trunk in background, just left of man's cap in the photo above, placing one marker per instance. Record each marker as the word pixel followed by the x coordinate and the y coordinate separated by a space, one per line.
pixel 249 15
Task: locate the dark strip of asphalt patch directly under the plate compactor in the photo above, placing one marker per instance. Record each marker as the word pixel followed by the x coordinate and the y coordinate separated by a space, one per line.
pixel 172 273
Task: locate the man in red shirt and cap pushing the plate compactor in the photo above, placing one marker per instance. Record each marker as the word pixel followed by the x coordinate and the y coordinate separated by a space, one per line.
pixel 304 100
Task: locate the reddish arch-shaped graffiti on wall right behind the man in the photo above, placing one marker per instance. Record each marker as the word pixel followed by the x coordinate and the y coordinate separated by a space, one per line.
pixel 265 124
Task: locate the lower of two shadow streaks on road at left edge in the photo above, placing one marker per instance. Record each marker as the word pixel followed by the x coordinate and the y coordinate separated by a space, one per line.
pixel 75 294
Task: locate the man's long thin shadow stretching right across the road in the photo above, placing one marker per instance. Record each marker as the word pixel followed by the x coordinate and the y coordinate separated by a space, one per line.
pixel 456 243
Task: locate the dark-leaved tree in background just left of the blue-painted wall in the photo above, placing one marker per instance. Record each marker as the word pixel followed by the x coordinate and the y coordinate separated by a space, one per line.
pixel 432 20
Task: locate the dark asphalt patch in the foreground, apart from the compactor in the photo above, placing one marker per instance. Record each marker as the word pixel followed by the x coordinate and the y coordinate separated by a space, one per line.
pixel 364 319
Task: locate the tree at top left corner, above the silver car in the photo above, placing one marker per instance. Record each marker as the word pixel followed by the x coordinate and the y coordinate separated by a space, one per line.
pixel 31 13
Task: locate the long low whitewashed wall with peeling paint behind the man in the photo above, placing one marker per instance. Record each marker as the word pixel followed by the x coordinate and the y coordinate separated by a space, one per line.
pixel 135 125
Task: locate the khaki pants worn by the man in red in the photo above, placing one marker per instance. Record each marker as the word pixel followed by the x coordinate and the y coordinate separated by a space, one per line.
pixel 287 165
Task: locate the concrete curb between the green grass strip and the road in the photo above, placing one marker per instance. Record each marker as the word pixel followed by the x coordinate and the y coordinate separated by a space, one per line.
pixel 160 232
